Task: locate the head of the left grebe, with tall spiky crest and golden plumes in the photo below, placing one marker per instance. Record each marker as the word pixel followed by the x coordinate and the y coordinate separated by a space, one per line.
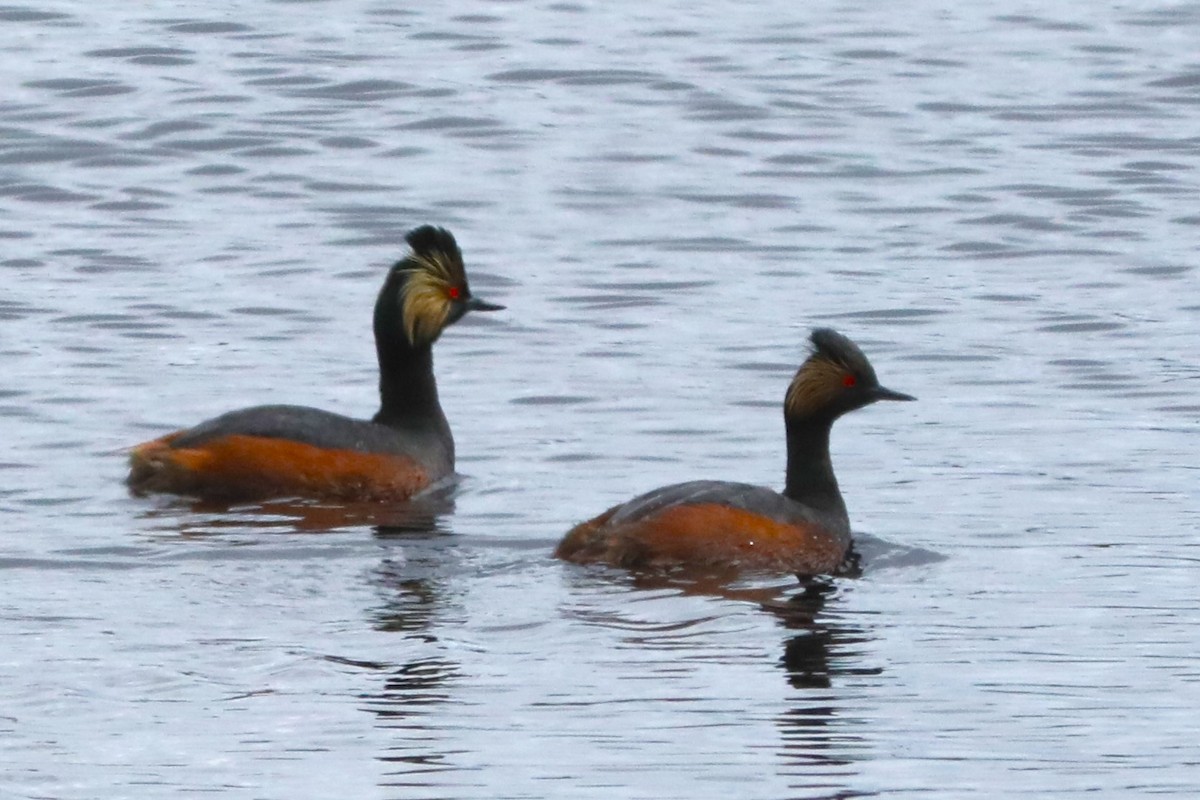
pixel 428 290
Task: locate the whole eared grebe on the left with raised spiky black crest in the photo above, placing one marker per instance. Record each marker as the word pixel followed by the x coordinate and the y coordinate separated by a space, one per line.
pixel 273 452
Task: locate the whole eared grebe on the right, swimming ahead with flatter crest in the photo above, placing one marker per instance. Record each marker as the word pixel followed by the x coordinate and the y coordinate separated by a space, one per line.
pixel 723 526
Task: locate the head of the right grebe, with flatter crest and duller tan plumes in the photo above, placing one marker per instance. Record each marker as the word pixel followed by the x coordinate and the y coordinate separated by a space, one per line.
pixel 835 380
